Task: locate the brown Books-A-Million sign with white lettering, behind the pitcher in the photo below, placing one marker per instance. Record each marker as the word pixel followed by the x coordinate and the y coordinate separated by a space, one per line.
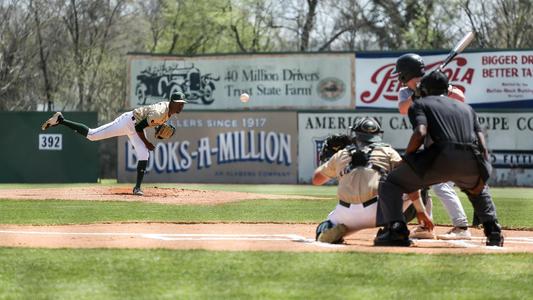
pixel 220 147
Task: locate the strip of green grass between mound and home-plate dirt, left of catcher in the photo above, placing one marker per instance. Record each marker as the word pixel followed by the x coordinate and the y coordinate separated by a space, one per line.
pixel 71 212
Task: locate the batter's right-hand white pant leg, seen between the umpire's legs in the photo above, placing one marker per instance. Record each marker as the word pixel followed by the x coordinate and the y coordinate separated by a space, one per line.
pixel 451 202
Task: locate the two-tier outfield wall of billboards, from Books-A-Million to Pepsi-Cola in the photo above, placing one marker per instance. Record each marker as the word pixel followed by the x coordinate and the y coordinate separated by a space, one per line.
pixel 313 95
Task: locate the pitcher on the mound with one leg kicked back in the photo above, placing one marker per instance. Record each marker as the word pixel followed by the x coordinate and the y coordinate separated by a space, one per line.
pixel 131 124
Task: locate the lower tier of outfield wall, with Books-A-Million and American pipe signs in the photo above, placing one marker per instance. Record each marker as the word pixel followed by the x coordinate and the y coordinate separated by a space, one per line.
pixel 283 147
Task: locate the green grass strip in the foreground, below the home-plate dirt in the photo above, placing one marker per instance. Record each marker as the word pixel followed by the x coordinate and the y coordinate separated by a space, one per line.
pixel 151 274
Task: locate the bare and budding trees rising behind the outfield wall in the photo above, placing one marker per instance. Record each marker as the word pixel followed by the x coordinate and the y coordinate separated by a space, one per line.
pixel 71 54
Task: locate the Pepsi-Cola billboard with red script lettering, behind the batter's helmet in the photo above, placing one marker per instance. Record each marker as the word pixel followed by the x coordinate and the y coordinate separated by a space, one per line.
pixel 488 79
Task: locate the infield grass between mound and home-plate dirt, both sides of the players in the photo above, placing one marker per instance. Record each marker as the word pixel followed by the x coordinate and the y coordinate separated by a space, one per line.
pixel 514 210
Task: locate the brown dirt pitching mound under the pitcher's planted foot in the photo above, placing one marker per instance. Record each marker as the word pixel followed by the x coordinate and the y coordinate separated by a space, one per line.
pixel 151 194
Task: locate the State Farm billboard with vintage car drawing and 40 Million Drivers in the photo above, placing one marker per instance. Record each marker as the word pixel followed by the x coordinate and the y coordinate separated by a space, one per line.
pixel 318 80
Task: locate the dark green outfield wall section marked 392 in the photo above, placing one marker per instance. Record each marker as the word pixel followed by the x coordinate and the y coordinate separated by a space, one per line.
pixel 58 154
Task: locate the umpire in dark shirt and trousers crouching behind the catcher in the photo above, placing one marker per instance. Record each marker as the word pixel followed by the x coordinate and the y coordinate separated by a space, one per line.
pixel 458 154
